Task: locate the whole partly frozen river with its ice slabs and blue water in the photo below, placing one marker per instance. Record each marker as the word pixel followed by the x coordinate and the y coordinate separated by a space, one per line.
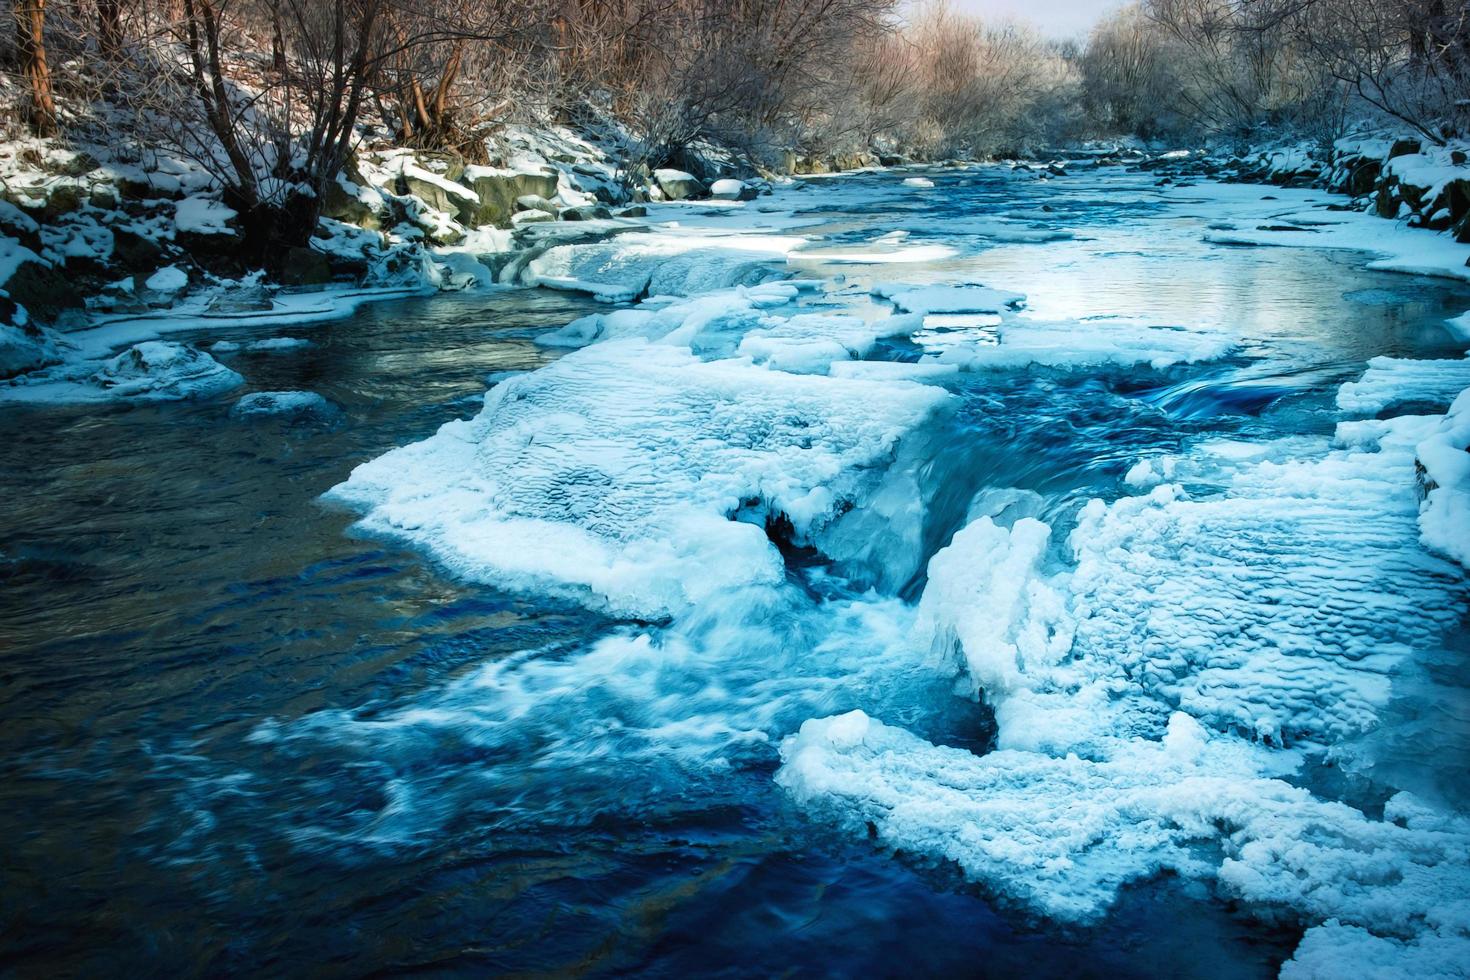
pixel 1033 586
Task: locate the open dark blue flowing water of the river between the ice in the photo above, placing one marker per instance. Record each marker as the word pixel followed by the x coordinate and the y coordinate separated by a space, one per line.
pixel 239 737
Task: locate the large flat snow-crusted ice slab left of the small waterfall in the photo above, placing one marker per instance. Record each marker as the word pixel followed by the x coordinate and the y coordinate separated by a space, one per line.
pixel 614 474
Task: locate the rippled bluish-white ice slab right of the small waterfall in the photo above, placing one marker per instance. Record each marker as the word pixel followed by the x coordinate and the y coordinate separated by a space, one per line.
pixel 1280 608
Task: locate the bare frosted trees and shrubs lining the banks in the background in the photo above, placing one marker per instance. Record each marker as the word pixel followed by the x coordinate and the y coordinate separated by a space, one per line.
pixel 273 96
